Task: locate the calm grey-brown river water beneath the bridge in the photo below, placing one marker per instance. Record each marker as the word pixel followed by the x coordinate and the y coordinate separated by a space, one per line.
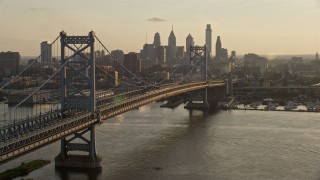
pixel 194 146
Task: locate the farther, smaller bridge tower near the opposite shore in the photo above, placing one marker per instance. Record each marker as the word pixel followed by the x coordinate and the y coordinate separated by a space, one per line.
pixel 198 72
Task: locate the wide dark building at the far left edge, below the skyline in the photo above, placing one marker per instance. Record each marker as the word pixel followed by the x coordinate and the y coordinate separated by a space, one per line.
pixel 9 63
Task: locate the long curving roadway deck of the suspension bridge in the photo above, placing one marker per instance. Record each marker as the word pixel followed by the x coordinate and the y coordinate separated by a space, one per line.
pixel 28 135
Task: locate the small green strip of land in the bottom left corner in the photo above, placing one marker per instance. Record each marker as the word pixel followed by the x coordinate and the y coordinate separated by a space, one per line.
pixel 23 169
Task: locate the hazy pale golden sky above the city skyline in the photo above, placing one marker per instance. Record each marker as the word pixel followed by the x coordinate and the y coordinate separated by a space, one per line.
pixel 259 26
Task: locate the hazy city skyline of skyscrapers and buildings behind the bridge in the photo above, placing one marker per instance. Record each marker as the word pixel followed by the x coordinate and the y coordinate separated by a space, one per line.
pixel 157 59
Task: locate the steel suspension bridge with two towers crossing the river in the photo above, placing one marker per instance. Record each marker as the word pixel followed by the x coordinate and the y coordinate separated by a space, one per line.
pixel 82 106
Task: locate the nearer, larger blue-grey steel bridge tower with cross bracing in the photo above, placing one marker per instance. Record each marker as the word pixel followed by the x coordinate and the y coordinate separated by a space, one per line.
pixel 77 79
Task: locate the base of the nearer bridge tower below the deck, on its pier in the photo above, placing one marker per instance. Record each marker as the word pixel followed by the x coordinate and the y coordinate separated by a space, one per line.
pixel 90 160
